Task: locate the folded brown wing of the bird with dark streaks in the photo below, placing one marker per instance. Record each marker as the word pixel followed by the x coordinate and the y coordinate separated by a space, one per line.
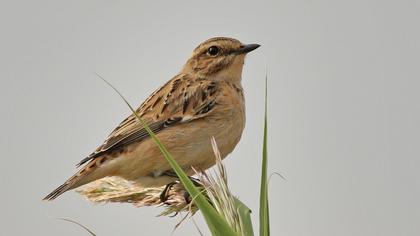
pixel 182 99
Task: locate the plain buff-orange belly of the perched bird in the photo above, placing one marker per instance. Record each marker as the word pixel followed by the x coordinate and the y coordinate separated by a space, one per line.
pixel 189 144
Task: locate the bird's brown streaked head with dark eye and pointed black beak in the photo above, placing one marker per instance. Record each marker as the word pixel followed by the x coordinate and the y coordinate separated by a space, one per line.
pixel 219 59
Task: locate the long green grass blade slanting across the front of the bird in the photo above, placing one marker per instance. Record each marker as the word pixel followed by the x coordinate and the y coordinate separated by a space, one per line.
pixel 216 223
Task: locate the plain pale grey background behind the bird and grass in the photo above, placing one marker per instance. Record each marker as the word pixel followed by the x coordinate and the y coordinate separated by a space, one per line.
pixel 343 108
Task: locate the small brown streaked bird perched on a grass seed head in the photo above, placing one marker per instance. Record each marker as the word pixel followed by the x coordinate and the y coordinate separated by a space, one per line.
pixel 204 100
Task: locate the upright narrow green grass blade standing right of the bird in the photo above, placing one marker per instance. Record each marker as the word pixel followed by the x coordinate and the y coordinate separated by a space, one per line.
pixel 264 211
